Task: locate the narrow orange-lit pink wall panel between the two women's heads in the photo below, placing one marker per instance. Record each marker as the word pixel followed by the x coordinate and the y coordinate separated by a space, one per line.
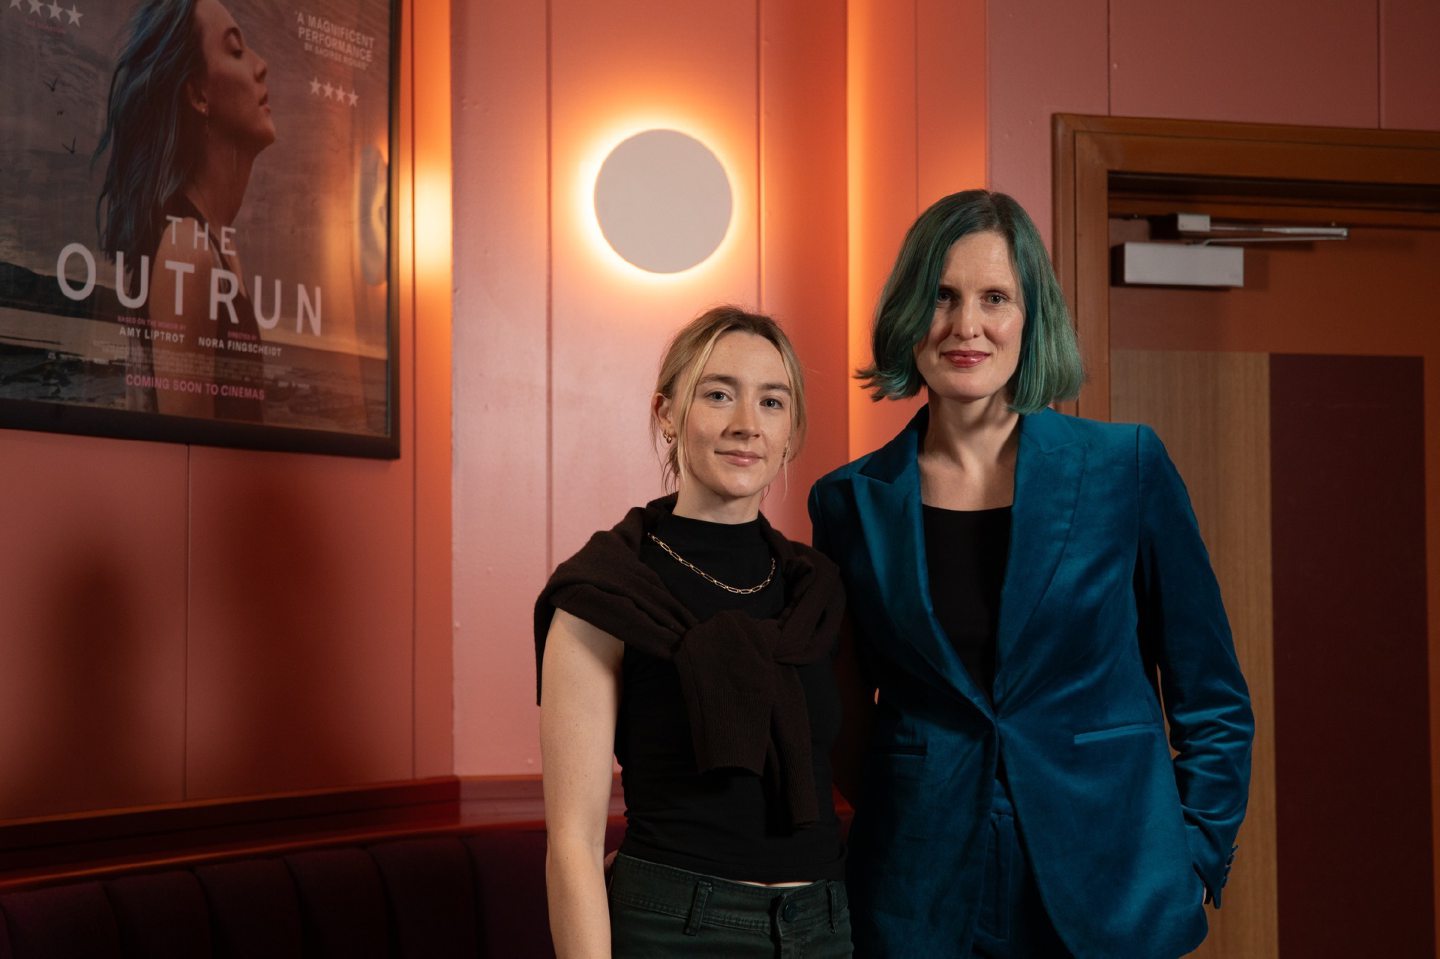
pixel 803 225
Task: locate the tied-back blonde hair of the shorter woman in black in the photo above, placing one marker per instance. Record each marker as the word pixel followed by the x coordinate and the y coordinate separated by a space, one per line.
pixel 686 361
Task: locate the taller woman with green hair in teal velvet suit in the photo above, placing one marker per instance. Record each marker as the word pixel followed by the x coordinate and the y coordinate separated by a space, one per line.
pixel 1032 607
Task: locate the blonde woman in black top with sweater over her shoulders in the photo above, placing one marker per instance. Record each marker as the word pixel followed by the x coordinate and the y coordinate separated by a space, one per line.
pixel 693 643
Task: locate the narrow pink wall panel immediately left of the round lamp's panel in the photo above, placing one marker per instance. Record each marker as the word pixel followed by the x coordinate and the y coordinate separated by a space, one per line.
pixel 502 407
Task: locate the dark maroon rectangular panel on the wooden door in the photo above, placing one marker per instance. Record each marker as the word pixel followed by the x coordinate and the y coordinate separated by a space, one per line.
pixel 1351 654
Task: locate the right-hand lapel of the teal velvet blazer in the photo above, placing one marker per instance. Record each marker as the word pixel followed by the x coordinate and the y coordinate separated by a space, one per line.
pixel 1049 469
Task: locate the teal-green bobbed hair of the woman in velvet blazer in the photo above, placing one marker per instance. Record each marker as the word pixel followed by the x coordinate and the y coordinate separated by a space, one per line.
pixel 1049 366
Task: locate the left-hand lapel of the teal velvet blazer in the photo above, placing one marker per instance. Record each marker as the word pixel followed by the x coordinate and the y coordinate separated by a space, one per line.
pixel 888 495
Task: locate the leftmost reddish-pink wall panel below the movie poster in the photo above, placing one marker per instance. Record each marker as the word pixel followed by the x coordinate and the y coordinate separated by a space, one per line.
pixel 93 585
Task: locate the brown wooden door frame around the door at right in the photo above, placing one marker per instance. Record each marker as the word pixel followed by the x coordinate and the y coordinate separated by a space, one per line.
pixel 1377 178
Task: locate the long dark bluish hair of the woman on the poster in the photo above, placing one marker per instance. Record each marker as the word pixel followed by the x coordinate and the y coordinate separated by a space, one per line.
pixel 150 133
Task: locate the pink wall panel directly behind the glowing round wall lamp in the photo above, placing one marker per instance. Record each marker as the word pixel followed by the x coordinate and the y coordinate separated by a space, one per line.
pixel 620 68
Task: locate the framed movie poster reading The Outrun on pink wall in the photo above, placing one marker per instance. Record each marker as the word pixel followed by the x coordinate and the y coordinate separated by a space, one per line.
pixel 195 243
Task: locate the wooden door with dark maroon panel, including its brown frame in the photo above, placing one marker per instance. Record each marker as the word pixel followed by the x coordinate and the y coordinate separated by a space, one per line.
pixel 1297 410
